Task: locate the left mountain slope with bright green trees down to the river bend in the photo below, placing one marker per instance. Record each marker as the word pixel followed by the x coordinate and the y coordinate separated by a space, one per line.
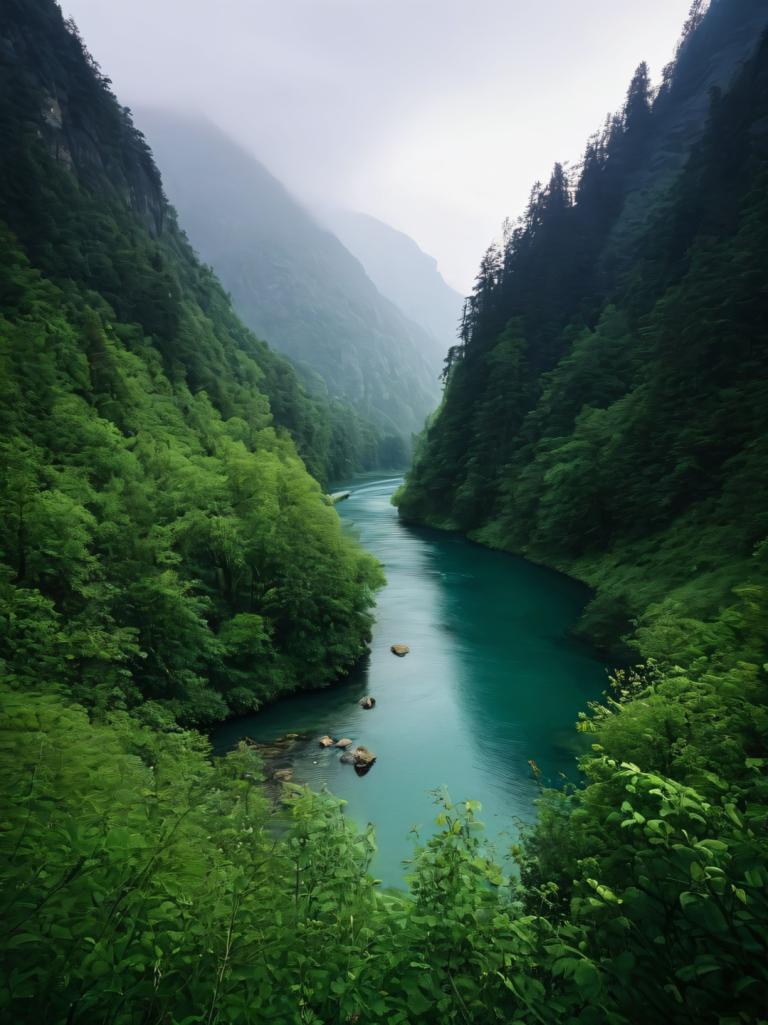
pixel 161 541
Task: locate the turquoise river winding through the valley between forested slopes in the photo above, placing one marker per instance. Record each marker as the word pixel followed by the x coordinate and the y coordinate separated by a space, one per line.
pixel 493 680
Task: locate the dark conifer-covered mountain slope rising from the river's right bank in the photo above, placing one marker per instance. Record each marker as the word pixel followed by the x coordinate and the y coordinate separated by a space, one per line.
pixel 613 422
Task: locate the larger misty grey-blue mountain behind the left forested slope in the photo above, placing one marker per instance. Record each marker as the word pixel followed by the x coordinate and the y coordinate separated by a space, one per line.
pixel 291 279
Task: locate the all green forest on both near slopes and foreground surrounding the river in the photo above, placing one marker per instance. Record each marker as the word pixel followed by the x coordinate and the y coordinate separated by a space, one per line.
pixel 170 559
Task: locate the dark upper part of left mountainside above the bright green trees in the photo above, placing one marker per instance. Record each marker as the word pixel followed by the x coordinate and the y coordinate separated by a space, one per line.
pixel 82 193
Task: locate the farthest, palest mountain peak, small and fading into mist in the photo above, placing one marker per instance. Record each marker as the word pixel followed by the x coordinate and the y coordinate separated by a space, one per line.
pixel 403 273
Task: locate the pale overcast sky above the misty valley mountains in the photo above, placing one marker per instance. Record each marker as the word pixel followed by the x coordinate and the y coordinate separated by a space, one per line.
pixel 436 116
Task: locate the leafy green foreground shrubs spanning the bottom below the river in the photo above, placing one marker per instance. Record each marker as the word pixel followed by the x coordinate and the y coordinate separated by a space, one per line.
pixel 144 883
